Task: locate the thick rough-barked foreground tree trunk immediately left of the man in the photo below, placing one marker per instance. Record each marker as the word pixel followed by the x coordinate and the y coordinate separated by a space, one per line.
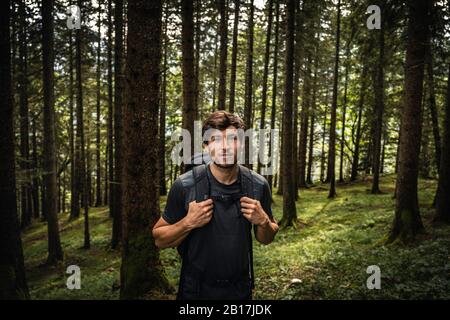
pixel 141 270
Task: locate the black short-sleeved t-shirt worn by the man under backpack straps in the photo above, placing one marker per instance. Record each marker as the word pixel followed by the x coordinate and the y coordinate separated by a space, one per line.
pixel 219 249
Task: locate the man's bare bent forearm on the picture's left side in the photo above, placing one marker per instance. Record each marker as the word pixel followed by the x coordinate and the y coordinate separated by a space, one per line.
pixel 172 235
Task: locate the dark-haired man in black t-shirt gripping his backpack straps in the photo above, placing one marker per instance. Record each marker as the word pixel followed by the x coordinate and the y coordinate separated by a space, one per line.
pixel 209 213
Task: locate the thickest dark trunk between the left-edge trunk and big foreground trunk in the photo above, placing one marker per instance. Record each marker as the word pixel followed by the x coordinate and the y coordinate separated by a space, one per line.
pixel 49 144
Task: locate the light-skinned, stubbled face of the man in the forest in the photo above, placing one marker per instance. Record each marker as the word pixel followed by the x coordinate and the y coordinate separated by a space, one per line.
pixel 223 146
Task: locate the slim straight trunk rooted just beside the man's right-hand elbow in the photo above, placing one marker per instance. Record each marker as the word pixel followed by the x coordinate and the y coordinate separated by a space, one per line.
pixel 289 210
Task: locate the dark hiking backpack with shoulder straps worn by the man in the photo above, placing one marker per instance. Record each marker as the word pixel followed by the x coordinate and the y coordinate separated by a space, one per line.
pixel 202 192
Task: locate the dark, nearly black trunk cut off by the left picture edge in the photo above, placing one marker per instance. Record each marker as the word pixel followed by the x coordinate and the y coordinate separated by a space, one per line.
pixel 13 283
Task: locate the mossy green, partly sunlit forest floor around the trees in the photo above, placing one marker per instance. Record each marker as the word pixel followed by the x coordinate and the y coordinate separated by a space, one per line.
pixel 326 257
